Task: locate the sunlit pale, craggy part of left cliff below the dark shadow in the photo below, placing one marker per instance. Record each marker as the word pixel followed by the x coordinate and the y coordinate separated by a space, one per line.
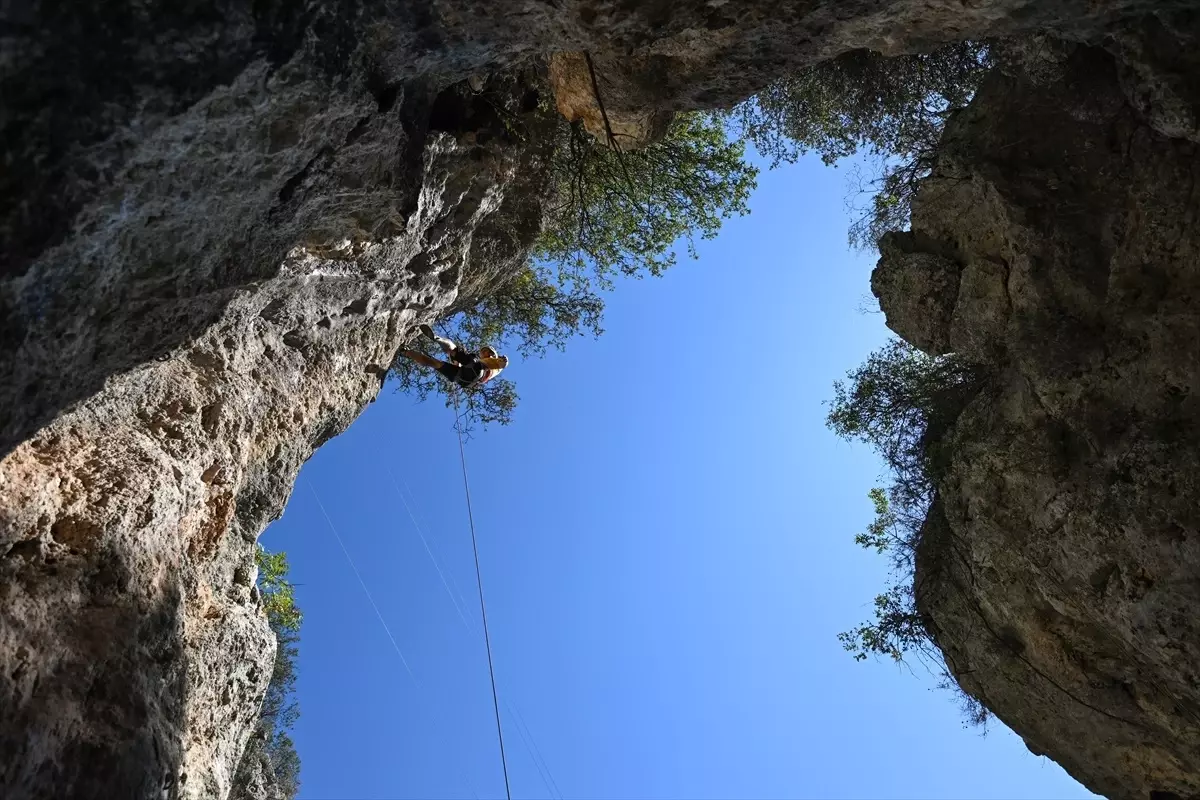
pixel 134 646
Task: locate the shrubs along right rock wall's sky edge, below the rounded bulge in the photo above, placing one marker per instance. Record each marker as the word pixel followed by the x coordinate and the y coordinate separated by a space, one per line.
pixel 903 404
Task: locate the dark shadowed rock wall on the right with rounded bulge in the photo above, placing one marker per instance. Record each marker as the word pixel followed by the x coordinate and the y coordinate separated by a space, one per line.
pixel 1058 243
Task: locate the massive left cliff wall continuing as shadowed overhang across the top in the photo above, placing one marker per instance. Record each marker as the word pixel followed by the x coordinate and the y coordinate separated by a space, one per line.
pixel 218 222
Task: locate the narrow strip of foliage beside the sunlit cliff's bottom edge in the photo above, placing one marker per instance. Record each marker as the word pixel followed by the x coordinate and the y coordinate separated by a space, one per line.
pixel 280 711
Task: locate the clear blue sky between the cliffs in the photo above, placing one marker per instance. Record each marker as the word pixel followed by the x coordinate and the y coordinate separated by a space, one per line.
pixel 667 539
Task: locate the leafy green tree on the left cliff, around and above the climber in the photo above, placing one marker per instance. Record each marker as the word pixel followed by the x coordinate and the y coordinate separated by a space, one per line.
pixel 610 214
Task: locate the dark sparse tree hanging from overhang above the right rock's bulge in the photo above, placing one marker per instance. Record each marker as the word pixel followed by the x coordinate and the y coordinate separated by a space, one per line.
pixel 892 107
